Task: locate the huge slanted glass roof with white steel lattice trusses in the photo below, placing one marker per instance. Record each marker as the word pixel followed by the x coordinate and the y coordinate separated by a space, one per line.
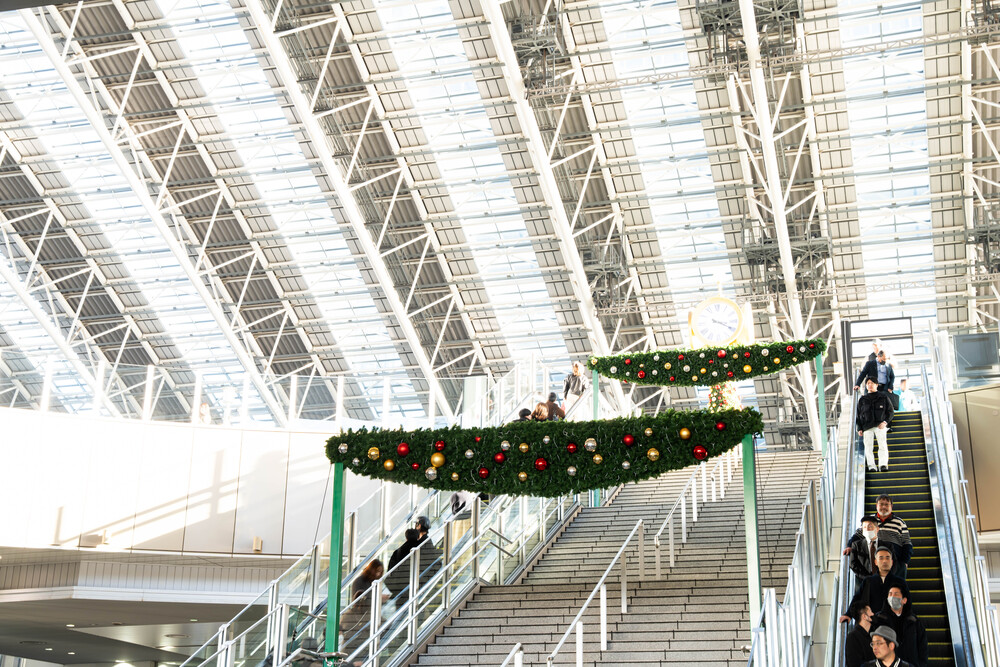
pixel 346 209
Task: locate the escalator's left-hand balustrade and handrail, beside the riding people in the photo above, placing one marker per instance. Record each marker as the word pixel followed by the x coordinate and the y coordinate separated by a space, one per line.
pixel 854 478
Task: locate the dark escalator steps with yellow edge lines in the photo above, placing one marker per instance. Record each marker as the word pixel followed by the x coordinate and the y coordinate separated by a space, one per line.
pixel 908 483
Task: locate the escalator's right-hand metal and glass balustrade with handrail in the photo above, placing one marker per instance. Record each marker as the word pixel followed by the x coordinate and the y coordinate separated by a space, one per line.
pixel 977 619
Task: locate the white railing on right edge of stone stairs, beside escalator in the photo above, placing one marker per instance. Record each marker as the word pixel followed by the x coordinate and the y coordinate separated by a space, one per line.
pixel 786 639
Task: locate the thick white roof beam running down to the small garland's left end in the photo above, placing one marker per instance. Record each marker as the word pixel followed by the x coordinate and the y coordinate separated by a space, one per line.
pixel 535 147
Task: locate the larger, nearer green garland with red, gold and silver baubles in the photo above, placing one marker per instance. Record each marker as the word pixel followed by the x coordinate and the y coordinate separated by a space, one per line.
pixel 537 460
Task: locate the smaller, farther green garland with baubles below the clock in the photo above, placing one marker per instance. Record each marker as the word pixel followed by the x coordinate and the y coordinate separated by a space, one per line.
pixel 707 366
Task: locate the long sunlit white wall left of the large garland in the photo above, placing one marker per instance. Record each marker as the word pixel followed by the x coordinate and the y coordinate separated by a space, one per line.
pixel 162 486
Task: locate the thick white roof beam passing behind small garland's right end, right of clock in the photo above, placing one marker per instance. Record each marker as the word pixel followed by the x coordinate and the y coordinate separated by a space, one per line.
pixel 772 185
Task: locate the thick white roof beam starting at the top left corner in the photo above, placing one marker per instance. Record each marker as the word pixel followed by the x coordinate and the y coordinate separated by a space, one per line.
pixel 141 190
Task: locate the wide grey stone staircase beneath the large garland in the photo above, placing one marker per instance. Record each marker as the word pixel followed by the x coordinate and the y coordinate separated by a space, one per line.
pixel 696 615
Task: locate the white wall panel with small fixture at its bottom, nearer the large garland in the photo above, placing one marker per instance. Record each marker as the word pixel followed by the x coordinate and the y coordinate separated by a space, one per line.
pixel 260 503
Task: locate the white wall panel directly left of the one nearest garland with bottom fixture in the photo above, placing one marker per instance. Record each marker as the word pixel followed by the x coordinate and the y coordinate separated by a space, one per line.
pixel 214 480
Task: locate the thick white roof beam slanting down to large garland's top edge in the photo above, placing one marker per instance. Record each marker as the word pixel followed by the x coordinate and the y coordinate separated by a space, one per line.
pixel 317 136
